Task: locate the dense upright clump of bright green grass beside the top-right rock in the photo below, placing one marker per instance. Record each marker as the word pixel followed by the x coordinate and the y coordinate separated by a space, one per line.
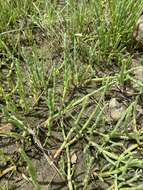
pixel 115 22
